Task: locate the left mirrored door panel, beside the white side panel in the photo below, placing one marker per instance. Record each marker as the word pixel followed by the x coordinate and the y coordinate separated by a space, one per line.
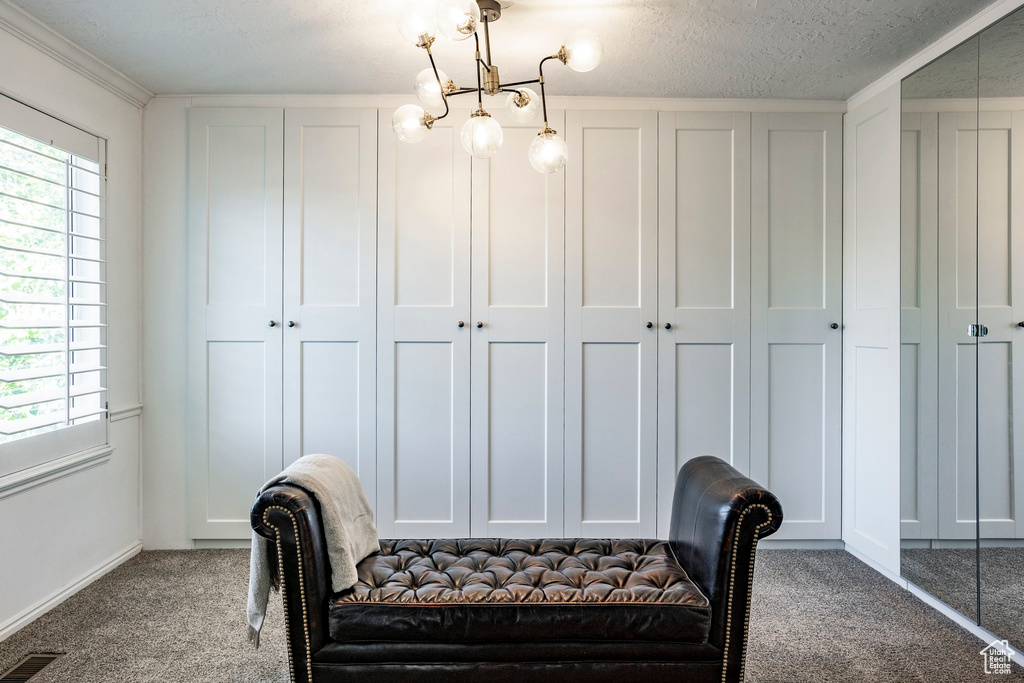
pixel 940 361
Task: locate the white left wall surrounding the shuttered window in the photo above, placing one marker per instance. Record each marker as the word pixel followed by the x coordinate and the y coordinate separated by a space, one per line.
pixel 63 532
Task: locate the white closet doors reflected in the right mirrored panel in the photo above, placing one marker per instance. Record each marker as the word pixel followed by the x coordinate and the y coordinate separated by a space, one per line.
pixel 1001 298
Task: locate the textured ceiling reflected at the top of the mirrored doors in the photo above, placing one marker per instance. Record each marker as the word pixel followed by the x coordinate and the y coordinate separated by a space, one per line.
pixel 997 57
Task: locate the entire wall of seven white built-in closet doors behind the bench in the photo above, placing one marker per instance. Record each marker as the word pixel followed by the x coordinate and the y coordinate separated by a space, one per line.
pixel 503 354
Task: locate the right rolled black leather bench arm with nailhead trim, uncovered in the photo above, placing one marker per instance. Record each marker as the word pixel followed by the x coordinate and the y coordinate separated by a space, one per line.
pixel 718 517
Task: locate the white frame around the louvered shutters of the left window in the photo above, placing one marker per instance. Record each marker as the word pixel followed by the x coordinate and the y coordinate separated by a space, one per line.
pixel 41 449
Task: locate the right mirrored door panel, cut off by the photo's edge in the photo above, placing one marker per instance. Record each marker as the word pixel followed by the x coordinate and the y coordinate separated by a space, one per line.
pixel 1001 353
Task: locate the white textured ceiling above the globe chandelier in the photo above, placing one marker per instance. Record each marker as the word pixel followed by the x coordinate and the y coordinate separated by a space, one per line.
pixel 825 50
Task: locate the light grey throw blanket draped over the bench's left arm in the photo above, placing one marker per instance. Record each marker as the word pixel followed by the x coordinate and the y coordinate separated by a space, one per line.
pixel 349 529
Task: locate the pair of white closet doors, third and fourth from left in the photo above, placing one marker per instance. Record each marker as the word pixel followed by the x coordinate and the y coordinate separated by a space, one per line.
pixel 471 326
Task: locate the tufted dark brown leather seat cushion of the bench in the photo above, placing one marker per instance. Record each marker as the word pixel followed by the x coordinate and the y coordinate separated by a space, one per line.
pixel 505 590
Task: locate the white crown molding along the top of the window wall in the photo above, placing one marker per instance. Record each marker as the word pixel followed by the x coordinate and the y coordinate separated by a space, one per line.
pixel 30 30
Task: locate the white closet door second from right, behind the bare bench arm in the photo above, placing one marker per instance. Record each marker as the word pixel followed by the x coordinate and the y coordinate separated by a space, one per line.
pixel 704 293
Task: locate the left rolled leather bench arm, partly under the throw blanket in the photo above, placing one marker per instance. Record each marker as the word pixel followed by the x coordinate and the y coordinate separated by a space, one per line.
pixel 290 518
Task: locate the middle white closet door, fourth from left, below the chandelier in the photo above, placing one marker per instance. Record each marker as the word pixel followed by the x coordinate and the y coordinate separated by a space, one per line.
pixel 518 367
